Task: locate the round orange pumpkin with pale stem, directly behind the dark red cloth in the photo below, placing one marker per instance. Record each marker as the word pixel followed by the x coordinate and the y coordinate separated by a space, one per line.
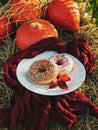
pixel 33 31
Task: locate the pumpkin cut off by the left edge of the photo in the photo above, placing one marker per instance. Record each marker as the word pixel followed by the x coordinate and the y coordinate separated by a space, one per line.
pixel 5 28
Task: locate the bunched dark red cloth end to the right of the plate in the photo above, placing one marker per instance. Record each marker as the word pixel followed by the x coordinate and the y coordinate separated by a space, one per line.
pixel 80 48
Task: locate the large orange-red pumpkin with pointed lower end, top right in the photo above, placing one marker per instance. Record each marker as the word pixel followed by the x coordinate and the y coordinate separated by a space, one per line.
pixel 64 14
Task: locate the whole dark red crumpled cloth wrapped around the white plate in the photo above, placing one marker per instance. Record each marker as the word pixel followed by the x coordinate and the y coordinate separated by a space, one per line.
pixel 36 110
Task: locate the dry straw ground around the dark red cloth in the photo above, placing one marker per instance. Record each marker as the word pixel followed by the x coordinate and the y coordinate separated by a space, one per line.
pixel 89 87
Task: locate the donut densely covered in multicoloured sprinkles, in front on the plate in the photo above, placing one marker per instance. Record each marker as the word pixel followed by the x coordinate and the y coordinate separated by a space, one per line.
pixel 43 71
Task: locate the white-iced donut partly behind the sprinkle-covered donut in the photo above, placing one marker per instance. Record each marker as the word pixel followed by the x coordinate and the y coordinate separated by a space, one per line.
pixel 64 63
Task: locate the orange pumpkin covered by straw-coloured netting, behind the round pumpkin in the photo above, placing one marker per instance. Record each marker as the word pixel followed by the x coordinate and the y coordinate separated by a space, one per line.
pixel 23 10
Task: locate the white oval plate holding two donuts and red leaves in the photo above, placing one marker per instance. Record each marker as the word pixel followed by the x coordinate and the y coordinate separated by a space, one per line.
pixel 77 76
